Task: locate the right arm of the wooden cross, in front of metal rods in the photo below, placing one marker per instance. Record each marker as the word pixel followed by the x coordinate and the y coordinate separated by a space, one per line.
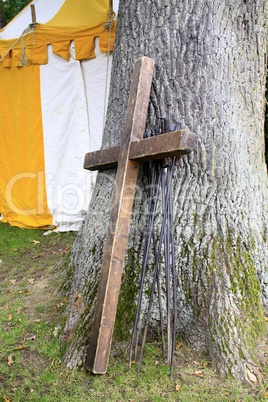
pixel 161 146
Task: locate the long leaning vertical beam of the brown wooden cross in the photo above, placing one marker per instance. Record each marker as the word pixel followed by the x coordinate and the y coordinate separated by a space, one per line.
pixel 117 236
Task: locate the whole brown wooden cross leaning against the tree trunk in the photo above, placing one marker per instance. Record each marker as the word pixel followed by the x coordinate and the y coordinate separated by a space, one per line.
pixel 133 150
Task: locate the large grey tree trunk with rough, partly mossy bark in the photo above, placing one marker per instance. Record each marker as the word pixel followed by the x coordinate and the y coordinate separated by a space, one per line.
pixel 210 67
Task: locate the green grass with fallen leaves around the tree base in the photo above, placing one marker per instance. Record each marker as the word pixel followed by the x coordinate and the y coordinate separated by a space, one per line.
pixel 31 366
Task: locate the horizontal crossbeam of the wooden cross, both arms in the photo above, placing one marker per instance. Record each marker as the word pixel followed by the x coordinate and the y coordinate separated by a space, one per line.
pixel 153 148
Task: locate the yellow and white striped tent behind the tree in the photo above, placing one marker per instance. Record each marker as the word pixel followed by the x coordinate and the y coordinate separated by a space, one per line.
pixel 53 81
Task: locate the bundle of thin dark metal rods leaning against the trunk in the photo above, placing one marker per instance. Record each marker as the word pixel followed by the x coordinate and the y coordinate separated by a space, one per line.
pixel 161 173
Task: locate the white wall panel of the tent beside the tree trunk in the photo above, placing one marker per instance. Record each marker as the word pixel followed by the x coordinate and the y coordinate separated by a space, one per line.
pixel 69 131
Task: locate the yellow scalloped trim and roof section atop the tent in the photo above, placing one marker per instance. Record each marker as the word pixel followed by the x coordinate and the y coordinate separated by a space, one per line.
pixel 71 23
